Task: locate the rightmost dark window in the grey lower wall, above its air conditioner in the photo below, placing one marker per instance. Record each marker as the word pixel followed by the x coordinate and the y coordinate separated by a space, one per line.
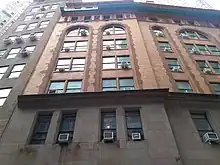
pixel 201 122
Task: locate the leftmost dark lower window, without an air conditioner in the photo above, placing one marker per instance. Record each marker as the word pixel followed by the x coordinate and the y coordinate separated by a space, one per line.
pixel 41 128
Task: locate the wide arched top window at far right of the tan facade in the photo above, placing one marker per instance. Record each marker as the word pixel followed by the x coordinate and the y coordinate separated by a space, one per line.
pixel 192 34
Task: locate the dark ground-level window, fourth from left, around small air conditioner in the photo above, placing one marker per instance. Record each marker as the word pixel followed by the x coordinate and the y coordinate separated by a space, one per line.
pixel 133 122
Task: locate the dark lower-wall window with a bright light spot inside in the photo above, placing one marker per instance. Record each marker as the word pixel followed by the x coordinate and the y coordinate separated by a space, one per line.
pixel 108 123
